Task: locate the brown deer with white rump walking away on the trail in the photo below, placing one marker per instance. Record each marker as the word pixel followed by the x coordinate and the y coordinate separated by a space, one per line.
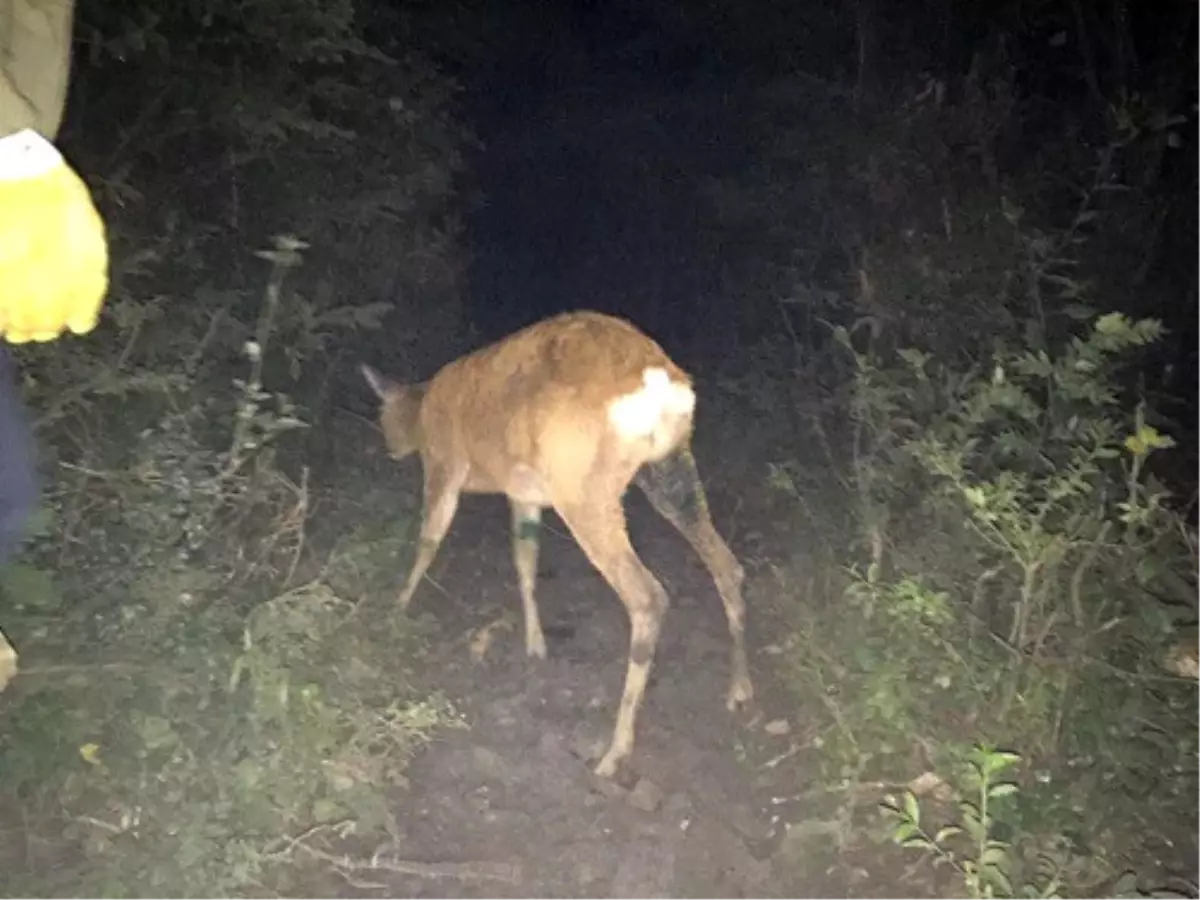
pixel 567 413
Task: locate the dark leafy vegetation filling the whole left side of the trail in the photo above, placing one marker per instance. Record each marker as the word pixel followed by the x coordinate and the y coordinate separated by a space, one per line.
pixel 203 711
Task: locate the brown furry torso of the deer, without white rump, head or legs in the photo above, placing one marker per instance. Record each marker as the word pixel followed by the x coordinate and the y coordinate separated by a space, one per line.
pixel 533 410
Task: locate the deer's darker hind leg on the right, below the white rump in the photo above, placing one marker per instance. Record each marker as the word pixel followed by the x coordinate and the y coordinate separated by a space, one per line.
pixel 675 490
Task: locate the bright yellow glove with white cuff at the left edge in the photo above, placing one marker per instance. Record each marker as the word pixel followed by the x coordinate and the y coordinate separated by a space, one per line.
pixel 53 249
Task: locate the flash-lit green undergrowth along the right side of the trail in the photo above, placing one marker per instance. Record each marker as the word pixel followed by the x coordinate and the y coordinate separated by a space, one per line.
pixel 1012 573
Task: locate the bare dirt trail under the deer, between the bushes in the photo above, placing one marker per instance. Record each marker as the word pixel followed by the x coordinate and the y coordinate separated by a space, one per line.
pixel 511 806
